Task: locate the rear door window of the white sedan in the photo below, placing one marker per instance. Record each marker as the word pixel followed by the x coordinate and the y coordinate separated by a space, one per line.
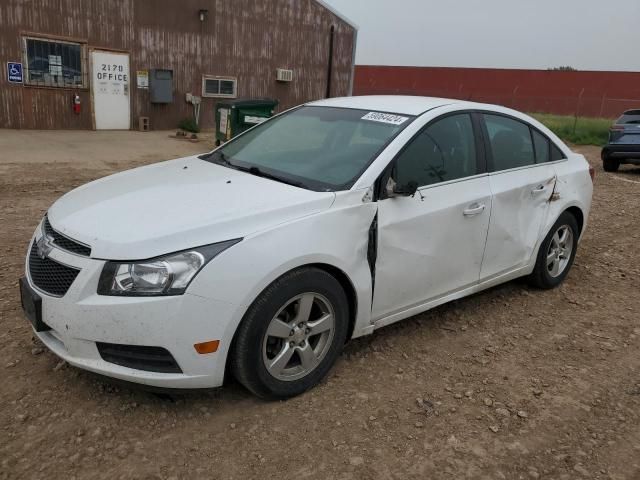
pixel 510 142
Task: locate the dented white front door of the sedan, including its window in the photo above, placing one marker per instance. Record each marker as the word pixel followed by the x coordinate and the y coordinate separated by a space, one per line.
pixel 431 244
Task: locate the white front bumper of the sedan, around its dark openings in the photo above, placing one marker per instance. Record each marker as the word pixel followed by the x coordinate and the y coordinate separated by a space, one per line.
pixel 81 319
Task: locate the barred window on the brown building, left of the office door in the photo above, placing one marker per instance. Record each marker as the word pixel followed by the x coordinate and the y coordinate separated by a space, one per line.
pixel 53 63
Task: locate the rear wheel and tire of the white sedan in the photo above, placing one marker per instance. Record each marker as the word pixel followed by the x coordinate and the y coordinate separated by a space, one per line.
pixel 556 254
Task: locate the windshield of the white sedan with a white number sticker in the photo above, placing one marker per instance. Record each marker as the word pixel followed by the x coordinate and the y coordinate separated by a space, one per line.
pixel 318 148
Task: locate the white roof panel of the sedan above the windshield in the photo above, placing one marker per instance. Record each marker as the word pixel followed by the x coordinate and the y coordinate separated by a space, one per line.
pixel 402 104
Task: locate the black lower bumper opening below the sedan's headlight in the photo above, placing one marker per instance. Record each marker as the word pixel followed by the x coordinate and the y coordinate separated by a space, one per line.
pixel 150 359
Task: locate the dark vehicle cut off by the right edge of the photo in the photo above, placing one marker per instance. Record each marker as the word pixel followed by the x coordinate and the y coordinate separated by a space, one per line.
pixel 624 142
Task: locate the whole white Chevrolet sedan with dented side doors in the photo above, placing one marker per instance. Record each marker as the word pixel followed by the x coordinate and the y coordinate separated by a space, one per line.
pixel 264 256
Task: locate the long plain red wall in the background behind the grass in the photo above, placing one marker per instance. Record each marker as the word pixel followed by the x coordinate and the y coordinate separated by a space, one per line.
pixel 591 94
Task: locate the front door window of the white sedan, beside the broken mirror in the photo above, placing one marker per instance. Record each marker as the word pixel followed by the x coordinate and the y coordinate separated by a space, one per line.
pixel 443 151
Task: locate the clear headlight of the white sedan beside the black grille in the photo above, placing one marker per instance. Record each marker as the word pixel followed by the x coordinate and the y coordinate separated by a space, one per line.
pixel 167 275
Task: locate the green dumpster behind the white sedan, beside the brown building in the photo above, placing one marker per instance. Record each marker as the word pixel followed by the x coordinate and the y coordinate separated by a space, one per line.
pixel 235 116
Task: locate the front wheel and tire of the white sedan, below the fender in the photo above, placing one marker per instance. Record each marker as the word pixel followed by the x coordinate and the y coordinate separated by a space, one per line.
pixel 291 335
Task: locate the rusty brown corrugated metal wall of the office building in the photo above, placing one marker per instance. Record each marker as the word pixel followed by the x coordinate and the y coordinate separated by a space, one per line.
pixel 247 39
